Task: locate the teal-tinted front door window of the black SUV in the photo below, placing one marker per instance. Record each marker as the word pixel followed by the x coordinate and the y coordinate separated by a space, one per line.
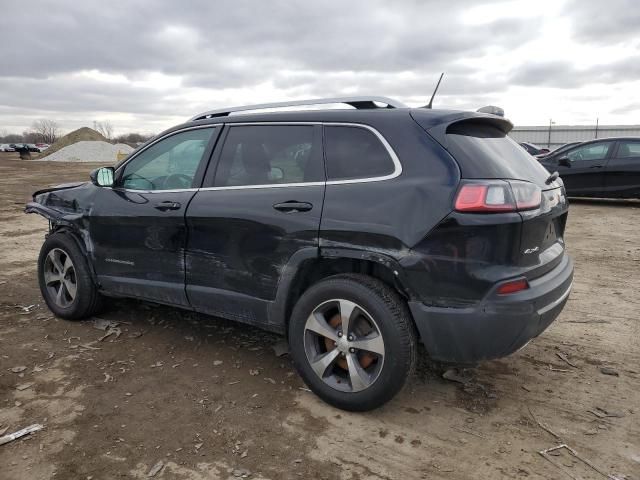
pixel 168 164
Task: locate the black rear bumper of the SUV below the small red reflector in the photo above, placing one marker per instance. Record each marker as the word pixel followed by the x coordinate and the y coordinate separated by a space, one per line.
pixel 499 324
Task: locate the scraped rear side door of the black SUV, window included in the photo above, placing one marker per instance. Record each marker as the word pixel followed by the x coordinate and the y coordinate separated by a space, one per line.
pixel 257 210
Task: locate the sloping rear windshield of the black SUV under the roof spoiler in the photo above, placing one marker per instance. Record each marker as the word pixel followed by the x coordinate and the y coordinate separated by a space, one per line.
pixel 484 151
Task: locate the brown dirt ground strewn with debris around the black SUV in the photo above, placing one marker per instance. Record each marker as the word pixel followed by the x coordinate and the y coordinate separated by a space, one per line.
pixel 210 399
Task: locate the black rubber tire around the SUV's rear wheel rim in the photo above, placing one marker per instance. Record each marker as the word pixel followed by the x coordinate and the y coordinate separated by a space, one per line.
pixel 393 321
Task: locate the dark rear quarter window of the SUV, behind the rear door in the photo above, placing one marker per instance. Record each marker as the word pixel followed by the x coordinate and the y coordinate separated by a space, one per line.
pixel 355 152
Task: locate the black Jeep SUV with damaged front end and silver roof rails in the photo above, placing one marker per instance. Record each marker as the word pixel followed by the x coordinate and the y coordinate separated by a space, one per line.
pixel 356 232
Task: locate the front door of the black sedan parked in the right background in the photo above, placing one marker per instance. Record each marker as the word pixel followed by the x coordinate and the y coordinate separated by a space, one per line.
pixel 582 168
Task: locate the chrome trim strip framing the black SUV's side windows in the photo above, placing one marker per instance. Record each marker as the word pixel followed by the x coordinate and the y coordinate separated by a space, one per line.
pixel 394 158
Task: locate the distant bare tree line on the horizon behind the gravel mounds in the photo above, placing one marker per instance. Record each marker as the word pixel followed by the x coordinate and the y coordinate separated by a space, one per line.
pixel 48 131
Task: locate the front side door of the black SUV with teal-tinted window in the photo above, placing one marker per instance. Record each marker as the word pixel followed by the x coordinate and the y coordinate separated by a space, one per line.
pixel 138 226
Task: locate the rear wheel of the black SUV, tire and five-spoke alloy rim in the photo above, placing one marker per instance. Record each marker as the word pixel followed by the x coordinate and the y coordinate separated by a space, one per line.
pixel 353 341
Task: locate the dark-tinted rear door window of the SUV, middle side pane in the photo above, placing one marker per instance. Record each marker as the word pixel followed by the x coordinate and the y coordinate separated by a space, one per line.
pixel 270 154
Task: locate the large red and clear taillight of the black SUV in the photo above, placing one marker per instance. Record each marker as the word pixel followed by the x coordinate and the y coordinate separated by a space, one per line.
pixel 497 196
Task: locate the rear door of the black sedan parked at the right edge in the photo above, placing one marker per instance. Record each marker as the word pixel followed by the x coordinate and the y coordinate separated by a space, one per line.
pixel 622 173
